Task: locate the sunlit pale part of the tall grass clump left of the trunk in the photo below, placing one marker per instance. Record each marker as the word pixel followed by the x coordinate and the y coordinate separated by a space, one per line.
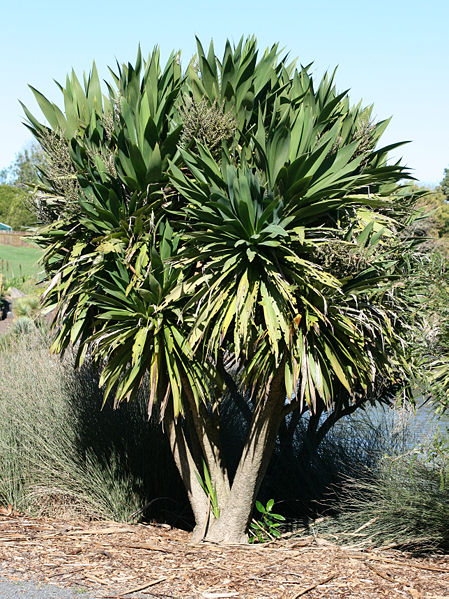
pixel 42 470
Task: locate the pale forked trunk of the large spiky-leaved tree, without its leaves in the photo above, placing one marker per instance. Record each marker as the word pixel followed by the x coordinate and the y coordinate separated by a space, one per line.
pixel 235 502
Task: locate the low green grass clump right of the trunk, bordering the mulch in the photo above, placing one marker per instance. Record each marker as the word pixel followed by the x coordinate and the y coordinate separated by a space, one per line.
pixel 402 505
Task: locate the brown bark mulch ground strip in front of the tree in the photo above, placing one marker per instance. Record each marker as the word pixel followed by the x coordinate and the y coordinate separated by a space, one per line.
pixel 109 559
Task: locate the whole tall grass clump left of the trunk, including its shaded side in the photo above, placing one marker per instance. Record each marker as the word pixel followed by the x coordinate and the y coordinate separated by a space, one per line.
pixel 59 454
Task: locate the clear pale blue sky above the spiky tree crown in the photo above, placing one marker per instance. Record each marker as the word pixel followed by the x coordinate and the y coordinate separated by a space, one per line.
pixel 392 53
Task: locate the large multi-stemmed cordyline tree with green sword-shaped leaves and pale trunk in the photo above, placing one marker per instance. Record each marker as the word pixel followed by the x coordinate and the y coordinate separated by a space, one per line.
pixel 230 227
